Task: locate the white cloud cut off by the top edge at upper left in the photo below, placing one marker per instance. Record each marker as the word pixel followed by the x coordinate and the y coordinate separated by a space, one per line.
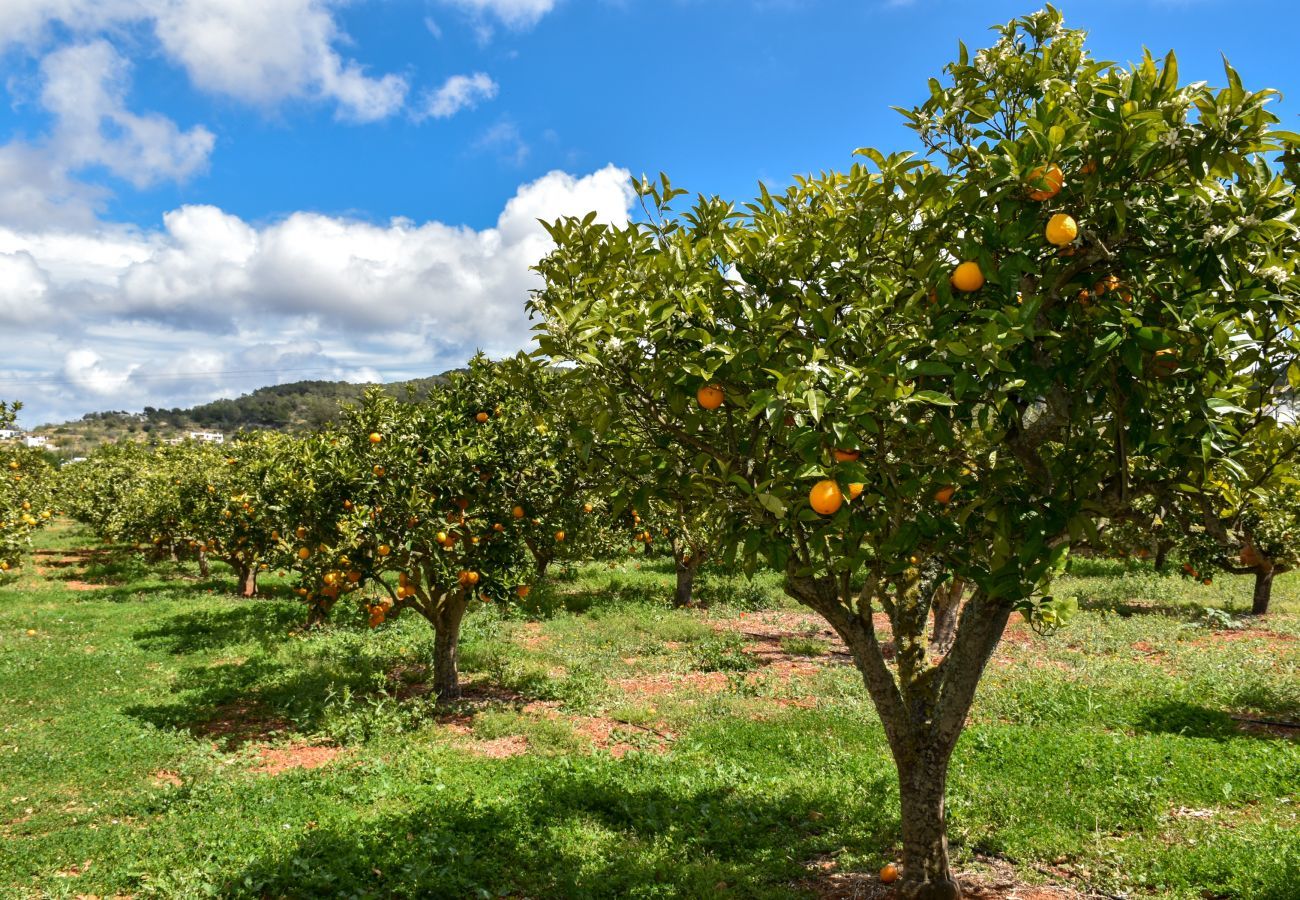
pixel 258 51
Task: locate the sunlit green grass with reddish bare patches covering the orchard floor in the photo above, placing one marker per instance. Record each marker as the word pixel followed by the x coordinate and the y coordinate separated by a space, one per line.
pixel 614 747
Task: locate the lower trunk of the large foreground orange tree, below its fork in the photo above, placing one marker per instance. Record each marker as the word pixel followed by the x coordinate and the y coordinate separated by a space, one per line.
pixel 922 778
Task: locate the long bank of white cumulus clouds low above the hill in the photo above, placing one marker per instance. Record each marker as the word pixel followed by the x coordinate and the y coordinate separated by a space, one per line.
pixel 166 317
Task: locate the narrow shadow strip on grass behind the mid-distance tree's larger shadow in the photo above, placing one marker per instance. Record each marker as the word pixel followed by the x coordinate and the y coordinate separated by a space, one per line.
pixel 266 624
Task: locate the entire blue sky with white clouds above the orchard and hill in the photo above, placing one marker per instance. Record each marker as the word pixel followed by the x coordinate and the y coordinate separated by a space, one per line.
pixel 201 197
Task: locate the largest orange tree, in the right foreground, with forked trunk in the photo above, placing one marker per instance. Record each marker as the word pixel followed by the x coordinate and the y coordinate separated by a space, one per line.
pixel 1052 314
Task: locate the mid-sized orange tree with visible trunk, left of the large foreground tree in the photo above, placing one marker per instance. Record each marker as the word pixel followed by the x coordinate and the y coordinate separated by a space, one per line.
pixel 411 500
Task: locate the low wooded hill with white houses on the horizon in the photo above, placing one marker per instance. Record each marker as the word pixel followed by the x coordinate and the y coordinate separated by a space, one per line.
pixel 297 406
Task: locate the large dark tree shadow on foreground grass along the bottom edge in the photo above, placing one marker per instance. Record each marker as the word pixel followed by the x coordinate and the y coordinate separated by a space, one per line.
pixel 593 829
